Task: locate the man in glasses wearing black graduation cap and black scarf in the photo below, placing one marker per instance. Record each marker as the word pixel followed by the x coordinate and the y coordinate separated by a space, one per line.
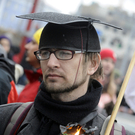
pixel 69 57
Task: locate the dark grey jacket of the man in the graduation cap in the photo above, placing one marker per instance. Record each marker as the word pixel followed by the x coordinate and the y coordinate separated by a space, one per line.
pixel 32 123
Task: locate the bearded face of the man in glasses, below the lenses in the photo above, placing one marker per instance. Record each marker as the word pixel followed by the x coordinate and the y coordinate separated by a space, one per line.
pixel 63 75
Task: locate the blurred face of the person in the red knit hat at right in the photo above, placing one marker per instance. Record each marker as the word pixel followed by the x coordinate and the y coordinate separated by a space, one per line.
pixel 108 65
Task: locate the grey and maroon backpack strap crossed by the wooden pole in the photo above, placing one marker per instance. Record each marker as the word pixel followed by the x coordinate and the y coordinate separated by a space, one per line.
pixel 117 129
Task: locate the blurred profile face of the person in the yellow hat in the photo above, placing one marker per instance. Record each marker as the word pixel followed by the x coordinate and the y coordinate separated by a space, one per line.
pixel 30 48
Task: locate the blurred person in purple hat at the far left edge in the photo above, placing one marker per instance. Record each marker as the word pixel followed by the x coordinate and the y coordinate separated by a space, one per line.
pixel 6 43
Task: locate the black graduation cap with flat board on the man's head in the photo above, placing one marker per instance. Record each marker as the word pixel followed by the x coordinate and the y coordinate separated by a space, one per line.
pixel 67 31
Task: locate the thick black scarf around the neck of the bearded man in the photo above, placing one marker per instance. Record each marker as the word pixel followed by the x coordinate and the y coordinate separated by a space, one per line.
pixel 66 112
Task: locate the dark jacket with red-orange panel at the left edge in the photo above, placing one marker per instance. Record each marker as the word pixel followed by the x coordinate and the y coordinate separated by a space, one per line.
pixel 8 93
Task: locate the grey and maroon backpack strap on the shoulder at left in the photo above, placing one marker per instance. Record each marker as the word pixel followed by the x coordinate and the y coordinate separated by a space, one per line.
pixel 17 118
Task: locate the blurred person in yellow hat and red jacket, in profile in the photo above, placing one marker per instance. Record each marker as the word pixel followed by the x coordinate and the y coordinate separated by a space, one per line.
pixel 34 75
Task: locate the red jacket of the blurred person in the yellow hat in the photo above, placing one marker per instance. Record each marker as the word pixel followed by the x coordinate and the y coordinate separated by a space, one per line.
pixel 30 91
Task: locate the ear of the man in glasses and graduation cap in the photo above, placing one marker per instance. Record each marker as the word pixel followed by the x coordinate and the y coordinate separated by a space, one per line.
pixel 94 64
